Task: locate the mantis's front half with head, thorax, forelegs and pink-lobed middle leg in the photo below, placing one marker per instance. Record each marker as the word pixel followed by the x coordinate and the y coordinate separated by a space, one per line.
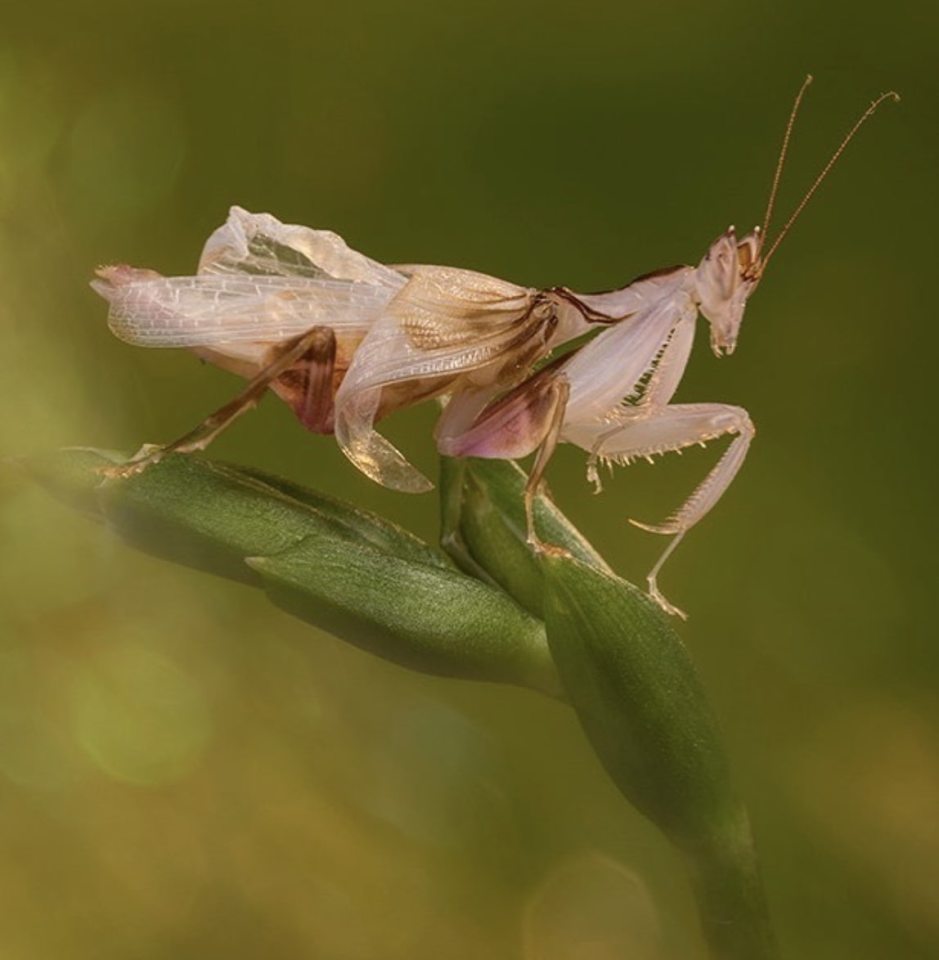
pixel 612 396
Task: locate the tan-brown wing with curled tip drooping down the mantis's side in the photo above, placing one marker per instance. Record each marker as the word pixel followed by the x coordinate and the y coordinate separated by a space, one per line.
pixel 444 324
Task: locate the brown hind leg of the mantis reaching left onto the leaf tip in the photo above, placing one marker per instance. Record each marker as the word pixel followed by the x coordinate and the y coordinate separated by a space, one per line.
pixel 317 347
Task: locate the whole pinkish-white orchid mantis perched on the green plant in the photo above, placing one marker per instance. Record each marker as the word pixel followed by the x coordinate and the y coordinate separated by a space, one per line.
pixel 345 340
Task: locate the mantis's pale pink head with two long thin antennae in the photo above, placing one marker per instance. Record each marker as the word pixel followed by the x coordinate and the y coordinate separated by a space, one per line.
pixel 732 268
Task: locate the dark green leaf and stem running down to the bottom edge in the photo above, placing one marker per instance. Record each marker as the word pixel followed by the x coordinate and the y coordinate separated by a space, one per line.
pixel 642 706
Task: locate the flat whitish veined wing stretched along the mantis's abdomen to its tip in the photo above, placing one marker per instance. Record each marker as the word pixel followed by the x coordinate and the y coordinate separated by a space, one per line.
pixel 153 311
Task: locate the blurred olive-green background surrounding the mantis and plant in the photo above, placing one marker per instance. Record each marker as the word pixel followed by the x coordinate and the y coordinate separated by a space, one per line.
pixel 184 771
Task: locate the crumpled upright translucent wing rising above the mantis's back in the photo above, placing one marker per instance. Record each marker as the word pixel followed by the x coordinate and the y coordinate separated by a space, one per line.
pixel 257 243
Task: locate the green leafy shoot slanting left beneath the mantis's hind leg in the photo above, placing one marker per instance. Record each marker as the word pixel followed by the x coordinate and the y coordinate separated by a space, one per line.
pixel 340 568
